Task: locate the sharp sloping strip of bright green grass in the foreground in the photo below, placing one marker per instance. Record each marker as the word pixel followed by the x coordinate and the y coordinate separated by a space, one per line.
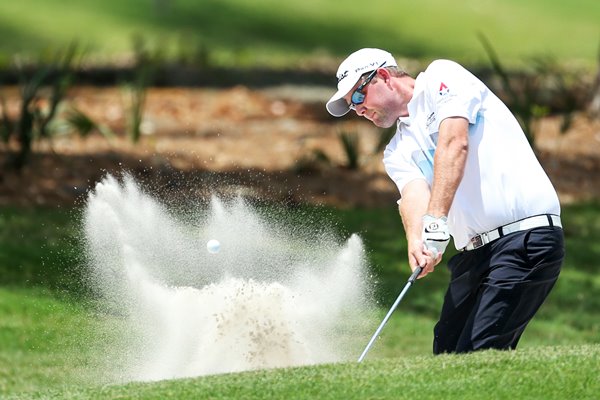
pixel 569 372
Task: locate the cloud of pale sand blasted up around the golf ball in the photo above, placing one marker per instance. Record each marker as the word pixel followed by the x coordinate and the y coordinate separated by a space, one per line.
pixel 277 294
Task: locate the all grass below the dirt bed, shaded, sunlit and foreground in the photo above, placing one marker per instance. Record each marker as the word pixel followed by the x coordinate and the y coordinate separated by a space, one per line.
pixel 52 340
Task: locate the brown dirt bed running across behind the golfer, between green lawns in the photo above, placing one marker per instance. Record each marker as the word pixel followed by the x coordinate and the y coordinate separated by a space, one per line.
pixel 261 143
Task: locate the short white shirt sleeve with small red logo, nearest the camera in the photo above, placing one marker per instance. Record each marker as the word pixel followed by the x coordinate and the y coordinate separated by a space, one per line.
pixel 453 91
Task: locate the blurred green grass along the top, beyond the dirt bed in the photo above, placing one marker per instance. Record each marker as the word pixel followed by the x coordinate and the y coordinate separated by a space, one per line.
pixel 271 32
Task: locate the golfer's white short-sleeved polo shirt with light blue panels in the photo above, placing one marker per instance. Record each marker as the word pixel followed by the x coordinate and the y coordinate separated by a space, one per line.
pixel 503 181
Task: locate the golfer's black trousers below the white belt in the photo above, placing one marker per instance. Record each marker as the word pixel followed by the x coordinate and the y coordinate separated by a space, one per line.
pixel 496 289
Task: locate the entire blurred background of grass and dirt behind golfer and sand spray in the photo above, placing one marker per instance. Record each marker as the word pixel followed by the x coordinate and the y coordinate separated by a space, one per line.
pixel 197 97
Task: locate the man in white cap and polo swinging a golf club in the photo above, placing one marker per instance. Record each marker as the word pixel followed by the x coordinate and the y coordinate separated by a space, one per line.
pixel 463 168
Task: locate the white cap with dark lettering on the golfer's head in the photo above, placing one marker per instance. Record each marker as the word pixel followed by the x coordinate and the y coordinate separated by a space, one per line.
pixel 351 69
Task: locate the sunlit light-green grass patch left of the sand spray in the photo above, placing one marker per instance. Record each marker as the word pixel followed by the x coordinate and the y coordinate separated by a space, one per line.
pixel 42 340
